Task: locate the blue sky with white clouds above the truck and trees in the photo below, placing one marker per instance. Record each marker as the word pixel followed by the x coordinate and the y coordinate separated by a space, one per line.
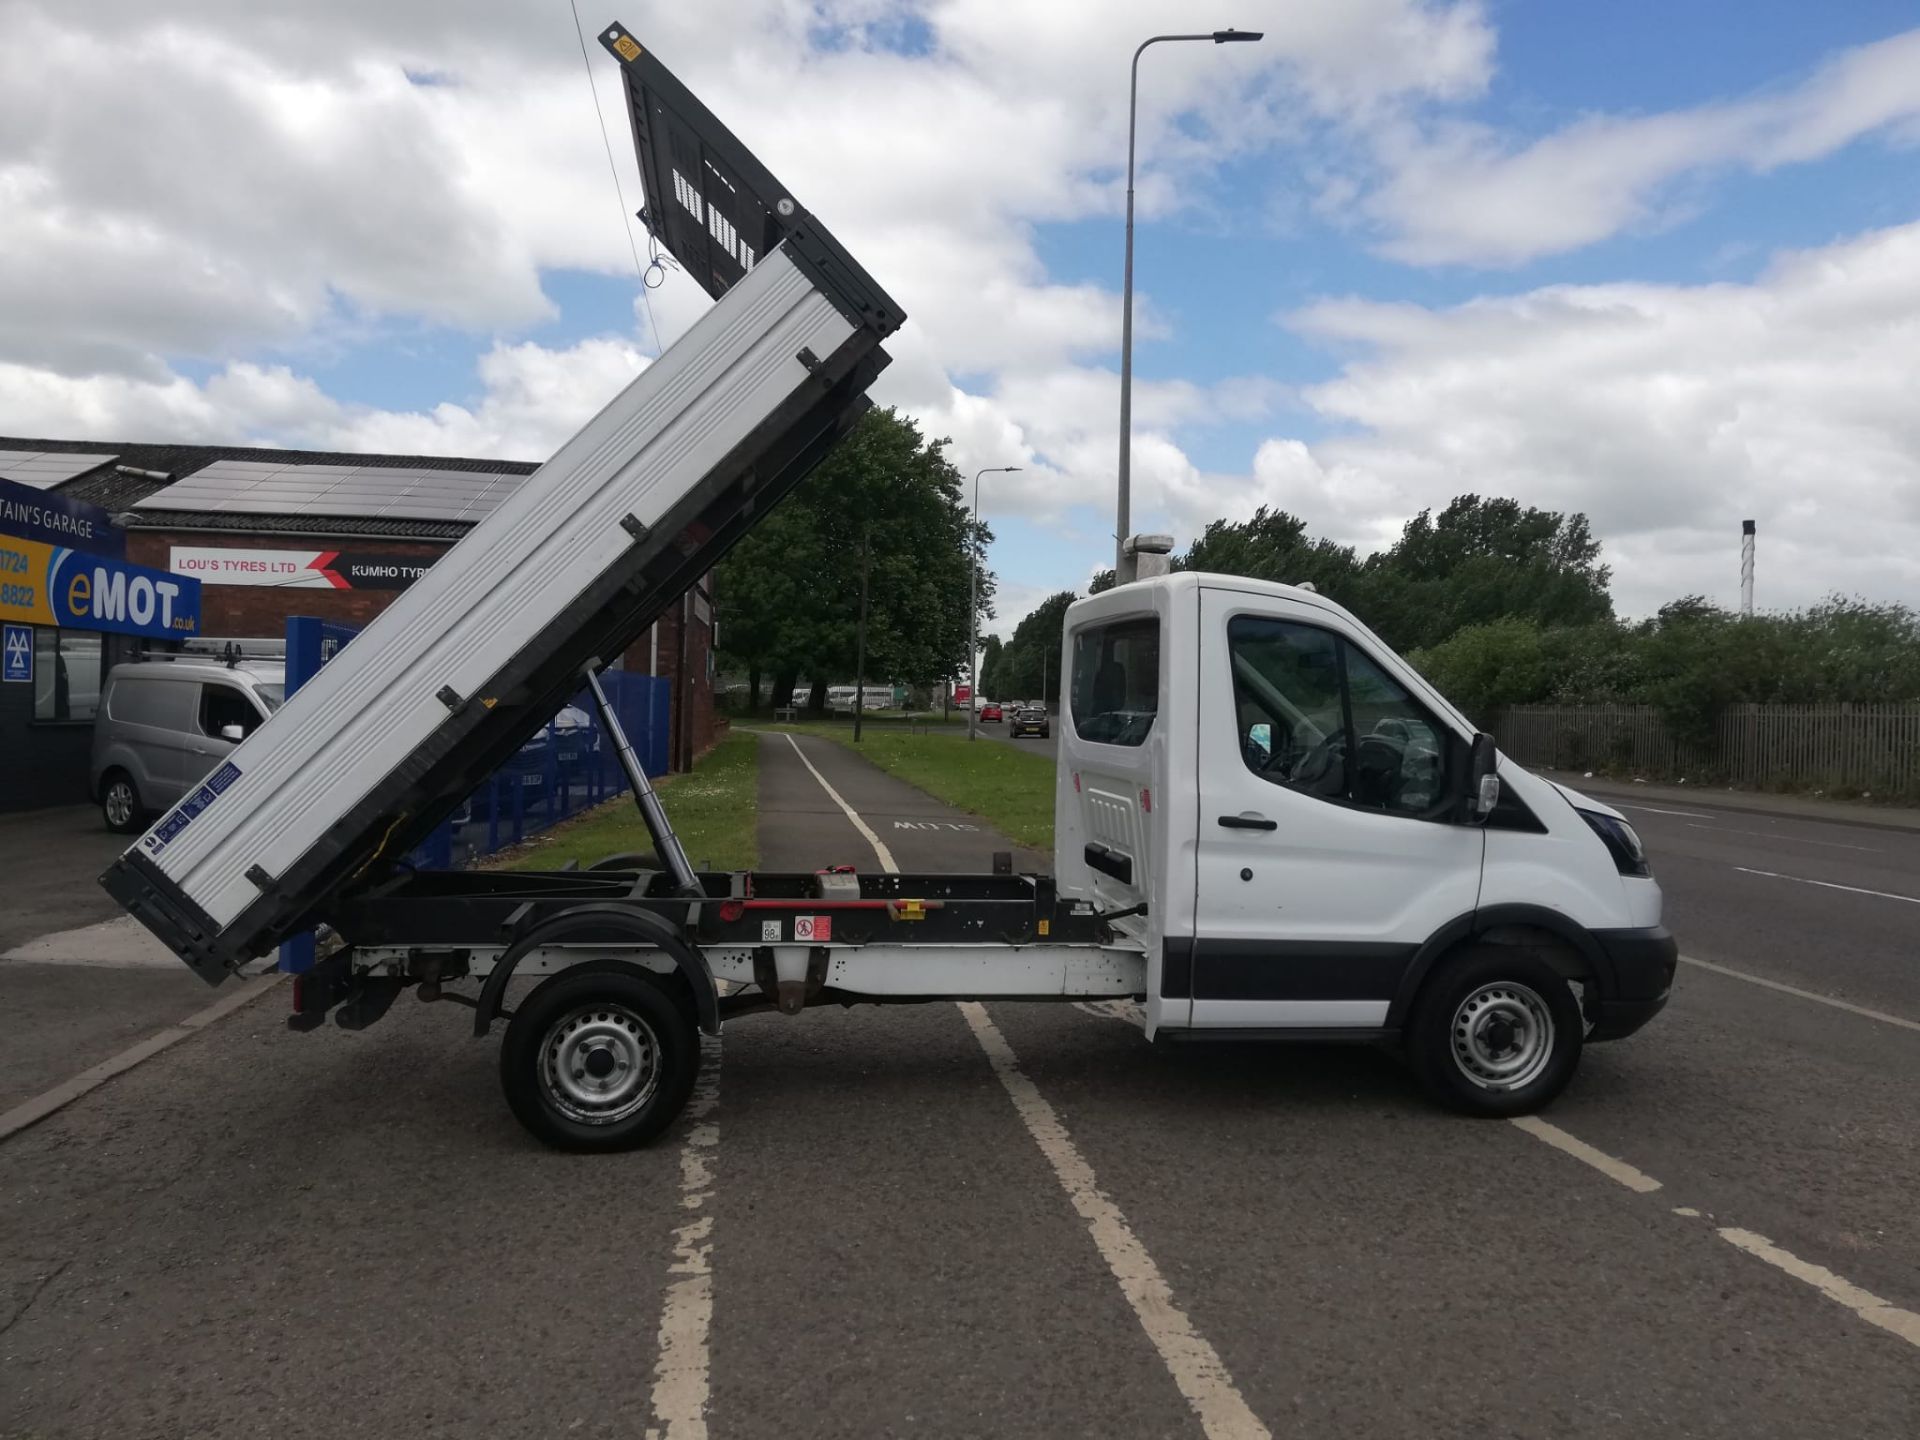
pixel 1658 264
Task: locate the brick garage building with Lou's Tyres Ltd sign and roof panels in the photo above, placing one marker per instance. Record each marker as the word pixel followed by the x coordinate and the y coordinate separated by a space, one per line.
pixel 270 535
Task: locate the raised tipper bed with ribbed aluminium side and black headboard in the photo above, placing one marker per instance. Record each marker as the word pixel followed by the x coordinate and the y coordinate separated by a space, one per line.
pixel 452 679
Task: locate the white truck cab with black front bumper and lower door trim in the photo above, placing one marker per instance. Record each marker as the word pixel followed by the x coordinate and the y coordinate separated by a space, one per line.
pixel 1293 823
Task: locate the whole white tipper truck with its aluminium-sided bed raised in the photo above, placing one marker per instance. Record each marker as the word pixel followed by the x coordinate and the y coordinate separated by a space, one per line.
pixel 1268 825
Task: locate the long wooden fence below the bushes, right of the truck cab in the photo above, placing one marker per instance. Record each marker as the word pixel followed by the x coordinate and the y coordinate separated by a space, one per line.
pixel 1844 750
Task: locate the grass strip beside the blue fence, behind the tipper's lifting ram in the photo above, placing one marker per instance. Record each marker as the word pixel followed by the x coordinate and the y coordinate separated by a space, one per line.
pixel 715 811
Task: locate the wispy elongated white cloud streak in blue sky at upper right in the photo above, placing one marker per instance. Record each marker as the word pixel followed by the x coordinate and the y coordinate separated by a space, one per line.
pixel 1460 193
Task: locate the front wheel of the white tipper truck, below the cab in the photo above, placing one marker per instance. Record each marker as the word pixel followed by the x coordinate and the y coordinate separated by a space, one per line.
pixel 1497 1032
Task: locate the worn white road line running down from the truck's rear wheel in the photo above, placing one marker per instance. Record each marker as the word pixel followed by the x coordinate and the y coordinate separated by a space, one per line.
pixel 683 1366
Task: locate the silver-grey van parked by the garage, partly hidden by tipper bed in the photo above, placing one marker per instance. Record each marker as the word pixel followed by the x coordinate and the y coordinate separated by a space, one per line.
pixel 166 723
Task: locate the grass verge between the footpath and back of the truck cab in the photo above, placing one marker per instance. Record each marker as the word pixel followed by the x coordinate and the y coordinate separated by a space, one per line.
pixel 1005 786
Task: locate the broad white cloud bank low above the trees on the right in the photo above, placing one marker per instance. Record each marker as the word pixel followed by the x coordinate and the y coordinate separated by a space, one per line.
pixel 1666 414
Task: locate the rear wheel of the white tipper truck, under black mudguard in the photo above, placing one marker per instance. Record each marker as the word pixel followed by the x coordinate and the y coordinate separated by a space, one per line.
pixel 600 1059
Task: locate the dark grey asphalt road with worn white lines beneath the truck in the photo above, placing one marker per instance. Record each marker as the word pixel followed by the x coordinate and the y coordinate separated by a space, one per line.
pixel 1020 1220
